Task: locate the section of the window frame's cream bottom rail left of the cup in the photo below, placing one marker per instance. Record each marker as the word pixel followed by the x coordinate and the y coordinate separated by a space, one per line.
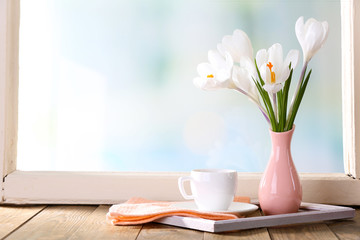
pixel 88 188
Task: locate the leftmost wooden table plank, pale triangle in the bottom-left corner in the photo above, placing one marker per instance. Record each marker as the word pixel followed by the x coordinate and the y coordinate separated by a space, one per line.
pixel 12 217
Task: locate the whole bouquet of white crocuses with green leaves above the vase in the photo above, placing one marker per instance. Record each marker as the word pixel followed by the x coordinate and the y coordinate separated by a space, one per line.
pixel 268 75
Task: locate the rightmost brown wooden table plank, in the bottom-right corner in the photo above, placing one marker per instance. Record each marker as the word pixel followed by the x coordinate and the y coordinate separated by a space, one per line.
pixel 347 229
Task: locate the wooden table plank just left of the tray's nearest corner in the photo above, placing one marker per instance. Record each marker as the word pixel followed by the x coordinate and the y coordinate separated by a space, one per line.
pixel 165 232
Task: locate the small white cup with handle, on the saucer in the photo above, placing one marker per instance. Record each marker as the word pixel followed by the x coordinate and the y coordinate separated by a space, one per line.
pixel 212 189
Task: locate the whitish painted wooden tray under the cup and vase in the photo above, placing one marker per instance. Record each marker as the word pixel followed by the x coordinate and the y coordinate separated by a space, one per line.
pixel 310 213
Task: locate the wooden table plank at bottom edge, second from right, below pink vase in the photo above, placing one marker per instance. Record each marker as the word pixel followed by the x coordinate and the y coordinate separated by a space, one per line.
pixel 318 231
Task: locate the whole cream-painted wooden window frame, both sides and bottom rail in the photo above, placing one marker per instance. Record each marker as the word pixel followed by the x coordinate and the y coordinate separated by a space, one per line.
pixel 22 187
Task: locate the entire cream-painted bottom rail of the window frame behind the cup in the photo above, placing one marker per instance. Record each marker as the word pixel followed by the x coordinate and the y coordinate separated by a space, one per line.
pixel 112 188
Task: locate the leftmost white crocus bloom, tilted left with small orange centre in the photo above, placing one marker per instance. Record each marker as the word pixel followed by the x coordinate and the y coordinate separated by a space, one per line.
pixel 216 73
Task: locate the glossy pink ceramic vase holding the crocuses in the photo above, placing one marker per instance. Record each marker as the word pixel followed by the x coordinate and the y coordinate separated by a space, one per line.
pixel 280 188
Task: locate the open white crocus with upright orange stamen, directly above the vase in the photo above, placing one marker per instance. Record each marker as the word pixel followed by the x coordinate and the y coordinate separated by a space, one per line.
pixel 273 69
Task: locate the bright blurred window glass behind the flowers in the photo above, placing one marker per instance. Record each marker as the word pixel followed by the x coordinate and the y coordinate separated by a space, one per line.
pixel 107 85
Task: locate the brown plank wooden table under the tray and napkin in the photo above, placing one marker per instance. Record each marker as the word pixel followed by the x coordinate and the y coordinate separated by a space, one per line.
pixel 88 222
